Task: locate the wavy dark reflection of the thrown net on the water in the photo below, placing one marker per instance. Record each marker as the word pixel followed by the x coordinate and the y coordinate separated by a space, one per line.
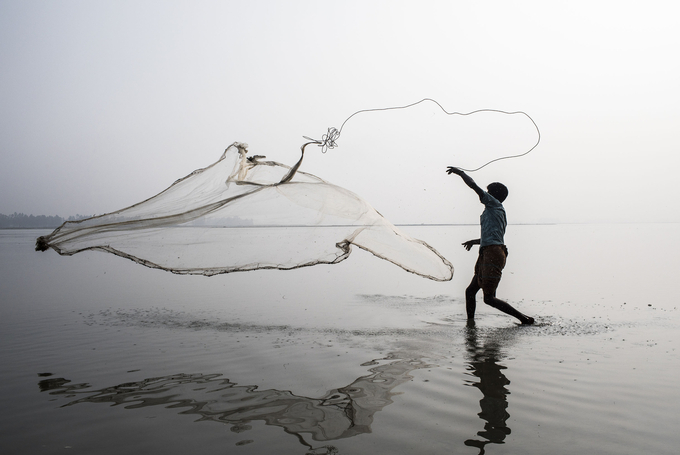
pixel 344 412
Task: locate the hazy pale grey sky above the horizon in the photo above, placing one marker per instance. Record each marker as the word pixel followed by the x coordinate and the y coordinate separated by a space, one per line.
pixel 105 103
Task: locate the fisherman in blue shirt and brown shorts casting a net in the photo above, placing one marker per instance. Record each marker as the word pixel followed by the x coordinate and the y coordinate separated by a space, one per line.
pixel 492 250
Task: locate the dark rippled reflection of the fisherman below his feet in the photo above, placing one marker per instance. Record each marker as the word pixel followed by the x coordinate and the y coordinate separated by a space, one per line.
pixel 483 363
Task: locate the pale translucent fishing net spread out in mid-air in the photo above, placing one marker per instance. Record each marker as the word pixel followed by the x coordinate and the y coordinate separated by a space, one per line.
pixel 241 214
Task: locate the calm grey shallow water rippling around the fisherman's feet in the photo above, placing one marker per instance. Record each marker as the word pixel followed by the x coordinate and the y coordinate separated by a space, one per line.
pixel 101 355
